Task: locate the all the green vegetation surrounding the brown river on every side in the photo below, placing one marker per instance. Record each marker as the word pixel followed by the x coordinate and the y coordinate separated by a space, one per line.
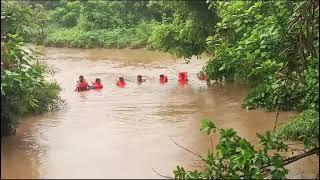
pixel 273 46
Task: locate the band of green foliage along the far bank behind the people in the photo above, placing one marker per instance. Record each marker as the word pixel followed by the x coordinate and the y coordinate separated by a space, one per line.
pixel 180 28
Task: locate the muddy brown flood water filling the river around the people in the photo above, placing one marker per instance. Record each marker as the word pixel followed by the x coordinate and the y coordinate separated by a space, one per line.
pixel 124 133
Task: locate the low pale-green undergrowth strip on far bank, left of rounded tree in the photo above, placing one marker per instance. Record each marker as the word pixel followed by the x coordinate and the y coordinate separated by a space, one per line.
pixel 134 37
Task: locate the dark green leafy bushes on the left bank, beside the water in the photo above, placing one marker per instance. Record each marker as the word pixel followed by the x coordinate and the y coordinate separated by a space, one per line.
pixel 24 88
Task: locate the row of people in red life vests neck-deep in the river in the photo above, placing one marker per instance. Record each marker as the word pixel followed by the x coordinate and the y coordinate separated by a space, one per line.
pixel 83 85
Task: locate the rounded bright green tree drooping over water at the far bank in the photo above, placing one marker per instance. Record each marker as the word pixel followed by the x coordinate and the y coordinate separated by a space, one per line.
pixel 184 28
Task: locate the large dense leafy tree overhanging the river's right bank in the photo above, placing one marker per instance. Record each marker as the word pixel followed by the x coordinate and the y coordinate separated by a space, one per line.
pixel 273 45
